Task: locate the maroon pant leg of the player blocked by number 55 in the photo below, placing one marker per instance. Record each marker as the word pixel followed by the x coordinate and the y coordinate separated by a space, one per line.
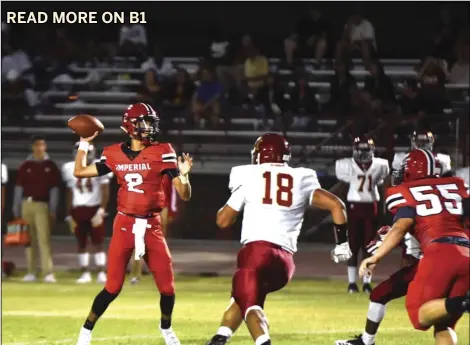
pixel 395 286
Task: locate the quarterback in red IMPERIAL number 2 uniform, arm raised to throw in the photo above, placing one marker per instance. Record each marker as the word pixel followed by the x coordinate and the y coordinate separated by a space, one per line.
pixel 139 167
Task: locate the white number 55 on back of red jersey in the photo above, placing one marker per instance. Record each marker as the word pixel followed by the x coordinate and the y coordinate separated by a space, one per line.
pixel 431 203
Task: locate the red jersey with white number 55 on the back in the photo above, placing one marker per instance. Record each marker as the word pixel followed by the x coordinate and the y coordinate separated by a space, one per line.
pixel 437 203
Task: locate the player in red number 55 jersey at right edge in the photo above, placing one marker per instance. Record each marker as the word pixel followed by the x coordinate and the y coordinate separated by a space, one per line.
pixel 431 208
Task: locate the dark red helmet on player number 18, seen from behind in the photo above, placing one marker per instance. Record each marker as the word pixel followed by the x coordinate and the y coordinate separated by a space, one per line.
pixel 271 148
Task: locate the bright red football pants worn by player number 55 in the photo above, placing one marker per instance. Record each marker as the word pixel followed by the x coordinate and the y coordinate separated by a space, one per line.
pixel 442 272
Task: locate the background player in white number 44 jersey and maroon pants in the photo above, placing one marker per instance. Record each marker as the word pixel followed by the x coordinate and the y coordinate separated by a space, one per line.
pixel 87 199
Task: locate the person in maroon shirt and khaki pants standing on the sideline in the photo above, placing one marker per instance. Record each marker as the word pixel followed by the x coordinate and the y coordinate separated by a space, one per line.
pixel 36 198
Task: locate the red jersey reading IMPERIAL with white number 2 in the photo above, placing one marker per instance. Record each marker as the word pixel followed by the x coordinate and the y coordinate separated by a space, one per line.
pixel 141 191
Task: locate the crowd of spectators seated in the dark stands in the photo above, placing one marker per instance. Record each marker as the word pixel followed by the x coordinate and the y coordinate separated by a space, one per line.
pixel 235 72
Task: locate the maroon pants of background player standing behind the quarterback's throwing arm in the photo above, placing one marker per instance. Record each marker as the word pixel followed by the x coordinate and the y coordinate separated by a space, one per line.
pixel 82 216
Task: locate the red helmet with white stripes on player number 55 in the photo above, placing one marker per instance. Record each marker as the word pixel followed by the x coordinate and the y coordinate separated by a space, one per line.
pixel 419 164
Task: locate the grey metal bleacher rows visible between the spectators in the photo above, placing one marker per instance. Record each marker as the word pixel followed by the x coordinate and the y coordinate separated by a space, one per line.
pixel 105 92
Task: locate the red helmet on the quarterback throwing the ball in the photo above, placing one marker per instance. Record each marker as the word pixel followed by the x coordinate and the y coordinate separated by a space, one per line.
pixel 140 121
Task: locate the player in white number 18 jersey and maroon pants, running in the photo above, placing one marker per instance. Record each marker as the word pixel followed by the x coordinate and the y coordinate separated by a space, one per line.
pixel 274 197
